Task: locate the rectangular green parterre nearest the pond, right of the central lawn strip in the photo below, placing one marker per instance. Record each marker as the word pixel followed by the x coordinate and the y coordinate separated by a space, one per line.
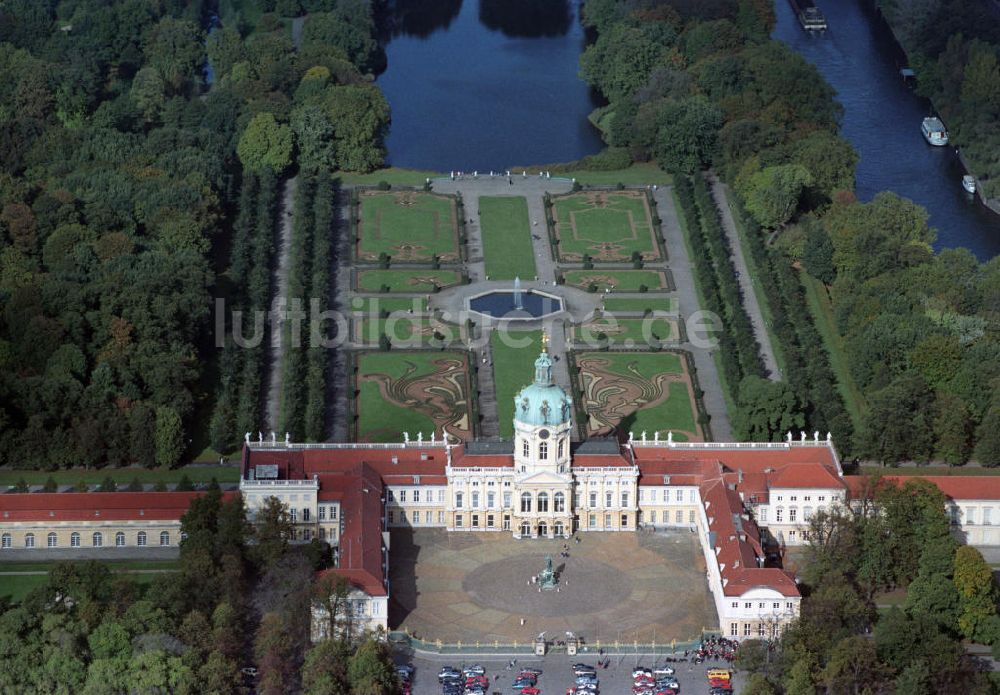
pixel 608 226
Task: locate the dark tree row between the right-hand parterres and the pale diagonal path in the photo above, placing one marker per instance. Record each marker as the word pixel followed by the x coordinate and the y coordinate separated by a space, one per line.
pixel 740 354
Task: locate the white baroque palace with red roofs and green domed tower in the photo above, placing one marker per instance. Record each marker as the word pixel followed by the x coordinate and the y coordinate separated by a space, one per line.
pixel 737 497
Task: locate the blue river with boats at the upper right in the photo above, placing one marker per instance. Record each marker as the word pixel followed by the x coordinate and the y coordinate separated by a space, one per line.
pixel 882 116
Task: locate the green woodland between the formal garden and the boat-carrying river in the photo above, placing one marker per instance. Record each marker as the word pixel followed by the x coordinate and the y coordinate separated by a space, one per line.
pixel 695 86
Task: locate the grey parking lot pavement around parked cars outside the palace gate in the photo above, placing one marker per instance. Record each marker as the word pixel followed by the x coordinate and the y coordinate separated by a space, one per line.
pixel 557 674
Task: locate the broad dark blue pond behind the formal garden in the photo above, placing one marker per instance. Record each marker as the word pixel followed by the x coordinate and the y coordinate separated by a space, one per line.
pixel 485 84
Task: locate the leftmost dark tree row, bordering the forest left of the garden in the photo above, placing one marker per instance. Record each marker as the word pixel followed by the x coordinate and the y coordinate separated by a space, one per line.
pixel 238 406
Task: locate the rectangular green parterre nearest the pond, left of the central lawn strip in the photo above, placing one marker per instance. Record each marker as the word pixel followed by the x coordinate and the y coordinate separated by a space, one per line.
pixel 408 226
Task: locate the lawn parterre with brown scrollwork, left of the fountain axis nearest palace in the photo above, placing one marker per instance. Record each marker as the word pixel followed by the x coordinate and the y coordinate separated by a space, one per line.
pixel 413 392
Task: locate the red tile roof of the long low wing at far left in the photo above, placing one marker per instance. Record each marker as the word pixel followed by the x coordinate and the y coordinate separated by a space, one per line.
pixel 98 506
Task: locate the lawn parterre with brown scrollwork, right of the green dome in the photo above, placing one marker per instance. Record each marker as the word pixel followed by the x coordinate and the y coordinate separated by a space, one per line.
pixel 637 392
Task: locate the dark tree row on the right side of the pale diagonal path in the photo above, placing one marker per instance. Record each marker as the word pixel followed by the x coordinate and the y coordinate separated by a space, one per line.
pixel 807 364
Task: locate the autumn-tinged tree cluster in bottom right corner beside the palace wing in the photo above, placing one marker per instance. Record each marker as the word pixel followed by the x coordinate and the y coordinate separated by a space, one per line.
pixel 847 640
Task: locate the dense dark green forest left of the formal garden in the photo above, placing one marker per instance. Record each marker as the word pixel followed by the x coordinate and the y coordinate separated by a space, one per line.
pixel 134 190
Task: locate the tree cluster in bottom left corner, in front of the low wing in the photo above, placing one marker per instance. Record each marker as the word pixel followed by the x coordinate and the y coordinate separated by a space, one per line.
pixel 241 595
